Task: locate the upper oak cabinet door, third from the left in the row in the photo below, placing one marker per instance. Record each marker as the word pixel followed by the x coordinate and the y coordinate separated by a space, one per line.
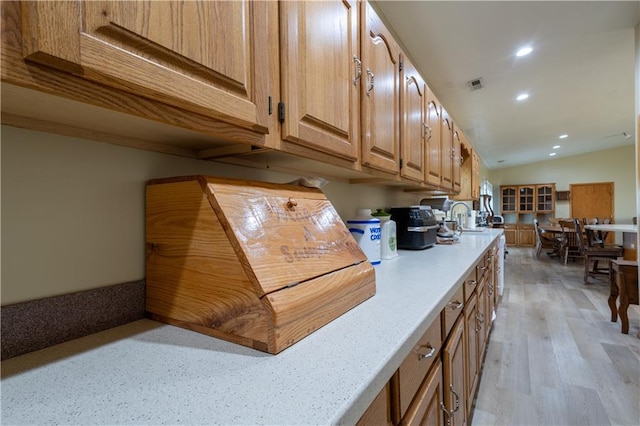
pixel 380 95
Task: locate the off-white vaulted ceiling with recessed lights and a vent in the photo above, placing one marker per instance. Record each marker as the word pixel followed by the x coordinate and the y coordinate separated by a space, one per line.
pixel 579 75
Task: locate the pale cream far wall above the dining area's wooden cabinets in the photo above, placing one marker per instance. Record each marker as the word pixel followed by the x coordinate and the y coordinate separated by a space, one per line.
pixel 615 165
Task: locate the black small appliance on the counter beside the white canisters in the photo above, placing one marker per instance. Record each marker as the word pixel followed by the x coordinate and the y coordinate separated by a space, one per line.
pixel 416 227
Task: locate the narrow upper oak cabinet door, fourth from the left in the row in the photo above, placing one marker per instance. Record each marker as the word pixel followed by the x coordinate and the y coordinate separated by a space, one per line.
pixel 413 130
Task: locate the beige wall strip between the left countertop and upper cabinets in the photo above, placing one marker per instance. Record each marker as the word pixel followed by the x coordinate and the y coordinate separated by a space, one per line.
pixel 73 210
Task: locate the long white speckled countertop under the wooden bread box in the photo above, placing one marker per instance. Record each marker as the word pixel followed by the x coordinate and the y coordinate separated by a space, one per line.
pixel 150 373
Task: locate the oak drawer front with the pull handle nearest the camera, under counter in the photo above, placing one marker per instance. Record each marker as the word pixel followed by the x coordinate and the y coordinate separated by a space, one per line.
pixel 416 365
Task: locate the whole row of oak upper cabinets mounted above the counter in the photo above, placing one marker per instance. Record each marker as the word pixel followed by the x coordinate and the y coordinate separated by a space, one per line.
pixel 298 85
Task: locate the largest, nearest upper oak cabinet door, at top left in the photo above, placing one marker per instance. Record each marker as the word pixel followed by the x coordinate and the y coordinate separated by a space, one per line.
pixel 207 57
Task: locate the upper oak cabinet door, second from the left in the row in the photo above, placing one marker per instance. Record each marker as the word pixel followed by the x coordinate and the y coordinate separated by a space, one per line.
pixel 321 75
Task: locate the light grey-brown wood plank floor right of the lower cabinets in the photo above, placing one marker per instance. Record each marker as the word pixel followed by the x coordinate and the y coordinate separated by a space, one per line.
pixel 554 356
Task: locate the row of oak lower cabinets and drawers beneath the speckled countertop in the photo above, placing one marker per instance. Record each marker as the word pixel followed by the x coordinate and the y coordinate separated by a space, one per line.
pixel 437 381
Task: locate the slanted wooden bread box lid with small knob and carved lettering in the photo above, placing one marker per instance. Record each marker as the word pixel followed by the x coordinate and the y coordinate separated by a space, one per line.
pixel 287 234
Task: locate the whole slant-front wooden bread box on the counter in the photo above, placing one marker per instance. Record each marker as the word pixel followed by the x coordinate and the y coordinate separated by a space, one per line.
pixel 259 264
